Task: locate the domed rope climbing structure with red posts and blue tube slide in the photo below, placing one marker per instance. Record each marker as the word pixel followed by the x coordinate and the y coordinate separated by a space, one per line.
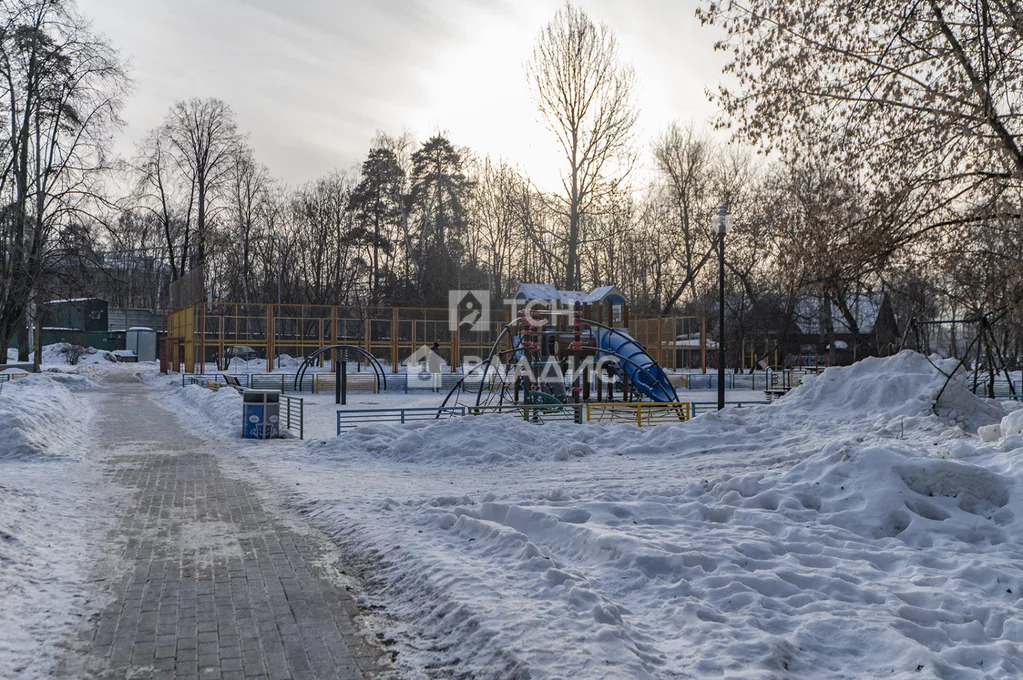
pixel 555 365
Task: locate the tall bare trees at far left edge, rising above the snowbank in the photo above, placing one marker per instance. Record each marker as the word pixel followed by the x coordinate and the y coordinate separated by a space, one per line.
pixel 61 90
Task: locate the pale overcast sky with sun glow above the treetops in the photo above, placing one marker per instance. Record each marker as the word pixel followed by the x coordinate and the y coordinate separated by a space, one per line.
pixel 313 81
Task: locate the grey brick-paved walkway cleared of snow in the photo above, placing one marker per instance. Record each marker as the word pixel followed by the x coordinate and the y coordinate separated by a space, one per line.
pixel 207 582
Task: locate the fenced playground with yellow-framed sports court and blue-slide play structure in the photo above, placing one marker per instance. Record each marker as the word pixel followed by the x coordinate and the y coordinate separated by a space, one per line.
pixel 556 356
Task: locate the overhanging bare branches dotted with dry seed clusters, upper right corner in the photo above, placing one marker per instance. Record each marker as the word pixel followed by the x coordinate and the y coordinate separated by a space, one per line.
pixel 926 95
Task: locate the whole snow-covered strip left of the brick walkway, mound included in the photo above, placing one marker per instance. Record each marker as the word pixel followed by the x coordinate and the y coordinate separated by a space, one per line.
pixel 47 489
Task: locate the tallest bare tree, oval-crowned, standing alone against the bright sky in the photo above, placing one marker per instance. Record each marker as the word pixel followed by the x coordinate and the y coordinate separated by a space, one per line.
pixel 586 95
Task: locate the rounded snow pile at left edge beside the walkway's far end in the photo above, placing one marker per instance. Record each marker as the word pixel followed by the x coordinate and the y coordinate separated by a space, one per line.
pixel 39 418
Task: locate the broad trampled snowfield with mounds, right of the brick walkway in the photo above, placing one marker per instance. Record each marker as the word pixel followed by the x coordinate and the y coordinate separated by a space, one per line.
pixel 854 529
